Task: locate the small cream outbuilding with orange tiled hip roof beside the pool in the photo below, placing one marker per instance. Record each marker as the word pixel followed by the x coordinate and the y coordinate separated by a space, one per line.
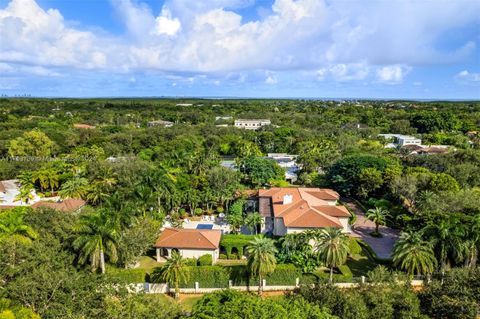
pixel 190 243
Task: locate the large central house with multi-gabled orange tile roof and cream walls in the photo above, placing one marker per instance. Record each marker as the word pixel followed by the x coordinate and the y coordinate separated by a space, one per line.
pixel 293 210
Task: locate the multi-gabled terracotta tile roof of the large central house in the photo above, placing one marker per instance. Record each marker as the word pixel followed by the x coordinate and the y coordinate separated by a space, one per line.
pixel 309 207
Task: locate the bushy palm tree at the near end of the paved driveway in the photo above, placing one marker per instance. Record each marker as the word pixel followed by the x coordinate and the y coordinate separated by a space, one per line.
pixel 414 254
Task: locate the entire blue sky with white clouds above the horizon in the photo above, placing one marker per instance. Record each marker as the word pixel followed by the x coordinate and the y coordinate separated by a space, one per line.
pixel 410 49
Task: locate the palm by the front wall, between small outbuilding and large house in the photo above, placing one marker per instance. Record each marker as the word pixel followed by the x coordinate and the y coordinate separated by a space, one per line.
pixel 261 259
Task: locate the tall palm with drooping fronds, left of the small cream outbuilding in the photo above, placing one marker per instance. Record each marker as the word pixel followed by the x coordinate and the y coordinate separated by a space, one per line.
pixel 96 238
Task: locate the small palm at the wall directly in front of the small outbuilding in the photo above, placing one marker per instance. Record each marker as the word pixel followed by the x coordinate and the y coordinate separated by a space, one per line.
pixel 174 271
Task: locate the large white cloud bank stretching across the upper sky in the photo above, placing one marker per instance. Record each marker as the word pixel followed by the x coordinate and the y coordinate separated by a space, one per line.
pixel 344 41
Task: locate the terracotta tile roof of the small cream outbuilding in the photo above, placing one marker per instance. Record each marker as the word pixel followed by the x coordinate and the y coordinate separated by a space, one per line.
pixel 189 238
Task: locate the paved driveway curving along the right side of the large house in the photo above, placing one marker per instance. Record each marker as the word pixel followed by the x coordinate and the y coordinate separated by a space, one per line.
pixel 383 246
